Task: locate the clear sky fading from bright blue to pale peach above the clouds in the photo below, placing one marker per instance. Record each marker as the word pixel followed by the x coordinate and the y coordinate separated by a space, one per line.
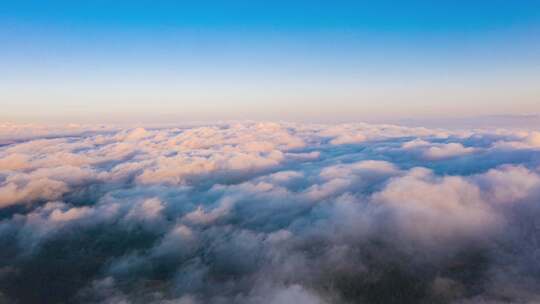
pixel 179 61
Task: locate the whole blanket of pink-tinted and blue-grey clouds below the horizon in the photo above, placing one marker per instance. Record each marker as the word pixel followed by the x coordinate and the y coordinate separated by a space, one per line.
pixel 277 213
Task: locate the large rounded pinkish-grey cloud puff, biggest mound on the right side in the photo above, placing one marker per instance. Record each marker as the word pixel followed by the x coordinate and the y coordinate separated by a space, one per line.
pixel 437 209
